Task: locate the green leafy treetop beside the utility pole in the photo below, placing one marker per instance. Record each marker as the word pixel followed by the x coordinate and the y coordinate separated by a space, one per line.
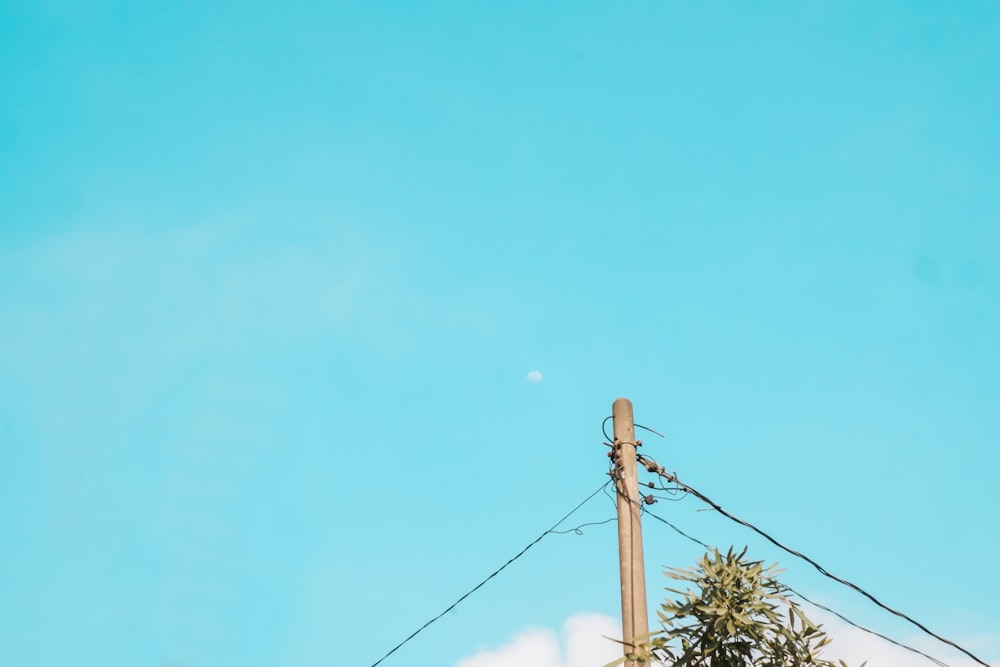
pixel 732 613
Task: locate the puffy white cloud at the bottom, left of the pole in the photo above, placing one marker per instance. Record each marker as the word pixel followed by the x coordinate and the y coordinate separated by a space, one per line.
pixel 584 644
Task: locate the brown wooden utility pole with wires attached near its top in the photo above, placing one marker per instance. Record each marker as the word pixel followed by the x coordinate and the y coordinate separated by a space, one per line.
pixel 633 573
